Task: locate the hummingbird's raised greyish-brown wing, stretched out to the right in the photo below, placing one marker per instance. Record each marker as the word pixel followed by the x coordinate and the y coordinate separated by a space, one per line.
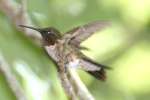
pixel 81 33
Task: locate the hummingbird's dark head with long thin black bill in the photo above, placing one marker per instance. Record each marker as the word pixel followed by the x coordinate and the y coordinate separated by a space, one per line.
pixel 50 34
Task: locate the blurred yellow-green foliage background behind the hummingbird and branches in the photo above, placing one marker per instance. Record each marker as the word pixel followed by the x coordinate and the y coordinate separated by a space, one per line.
pixel 124 46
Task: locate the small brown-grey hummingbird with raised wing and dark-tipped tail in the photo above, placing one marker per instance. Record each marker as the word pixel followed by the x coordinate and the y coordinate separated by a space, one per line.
pixel 72 40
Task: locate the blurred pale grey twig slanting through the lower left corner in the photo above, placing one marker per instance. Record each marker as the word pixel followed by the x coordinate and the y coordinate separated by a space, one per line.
pixel 11 79
